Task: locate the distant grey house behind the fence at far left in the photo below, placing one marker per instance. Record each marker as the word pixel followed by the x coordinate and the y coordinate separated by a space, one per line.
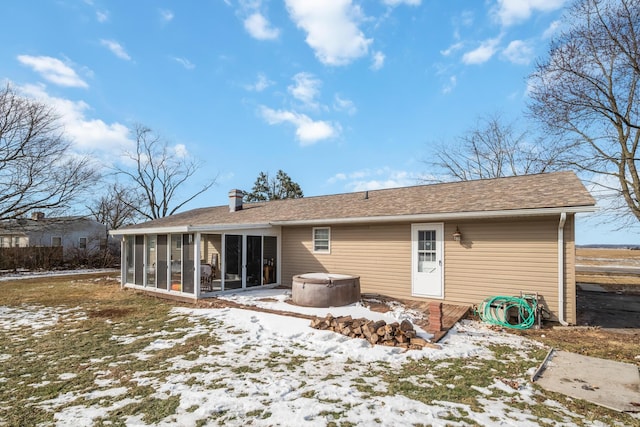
pixel 72 233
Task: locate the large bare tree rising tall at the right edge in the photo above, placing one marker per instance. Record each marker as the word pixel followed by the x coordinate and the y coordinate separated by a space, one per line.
pixel 587 90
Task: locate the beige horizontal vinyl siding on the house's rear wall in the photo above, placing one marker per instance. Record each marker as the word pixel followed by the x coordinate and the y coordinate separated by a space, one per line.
pixel 495 257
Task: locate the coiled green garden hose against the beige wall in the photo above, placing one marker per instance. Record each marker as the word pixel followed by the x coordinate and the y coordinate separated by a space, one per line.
pixel 497 310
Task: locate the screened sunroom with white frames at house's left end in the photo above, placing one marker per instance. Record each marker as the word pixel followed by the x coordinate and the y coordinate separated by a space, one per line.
pixel 190 263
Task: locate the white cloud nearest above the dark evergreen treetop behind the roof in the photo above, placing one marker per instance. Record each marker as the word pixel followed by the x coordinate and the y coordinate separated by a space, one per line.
pixel 308 131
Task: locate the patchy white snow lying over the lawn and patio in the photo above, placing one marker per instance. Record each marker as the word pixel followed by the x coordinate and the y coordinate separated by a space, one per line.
pixel 279 371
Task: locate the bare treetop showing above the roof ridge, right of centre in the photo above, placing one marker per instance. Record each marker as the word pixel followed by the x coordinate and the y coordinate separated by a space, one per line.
pixel 494 149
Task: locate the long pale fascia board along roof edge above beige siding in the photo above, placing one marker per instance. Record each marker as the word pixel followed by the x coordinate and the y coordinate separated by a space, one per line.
pixel 444 216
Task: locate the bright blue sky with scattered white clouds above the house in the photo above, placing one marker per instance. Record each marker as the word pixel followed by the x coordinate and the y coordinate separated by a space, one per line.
pixel 342 95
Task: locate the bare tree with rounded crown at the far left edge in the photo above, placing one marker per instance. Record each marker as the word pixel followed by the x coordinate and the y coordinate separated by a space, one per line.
pixel 37 169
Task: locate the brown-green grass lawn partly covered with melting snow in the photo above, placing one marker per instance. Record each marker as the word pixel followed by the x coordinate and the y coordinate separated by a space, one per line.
pixel 84 352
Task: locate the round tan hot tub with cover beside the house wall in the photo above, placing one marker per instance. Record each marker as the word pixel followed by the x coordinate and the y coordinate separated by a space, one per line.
pixel 325 289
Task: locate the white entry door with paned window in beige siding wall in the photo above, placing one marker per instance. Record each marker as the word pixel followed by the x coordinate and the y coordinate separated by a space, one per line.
pixel 427 260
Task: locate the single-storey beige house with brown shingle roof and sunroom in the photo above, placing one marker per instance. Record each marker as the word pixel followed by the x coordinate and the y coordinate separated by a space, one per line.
pixel 454 242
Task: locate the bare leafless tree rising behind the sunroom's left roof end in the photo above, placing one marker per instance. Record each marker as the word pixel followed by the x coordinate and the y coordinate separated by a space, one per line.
pixel 158 175
